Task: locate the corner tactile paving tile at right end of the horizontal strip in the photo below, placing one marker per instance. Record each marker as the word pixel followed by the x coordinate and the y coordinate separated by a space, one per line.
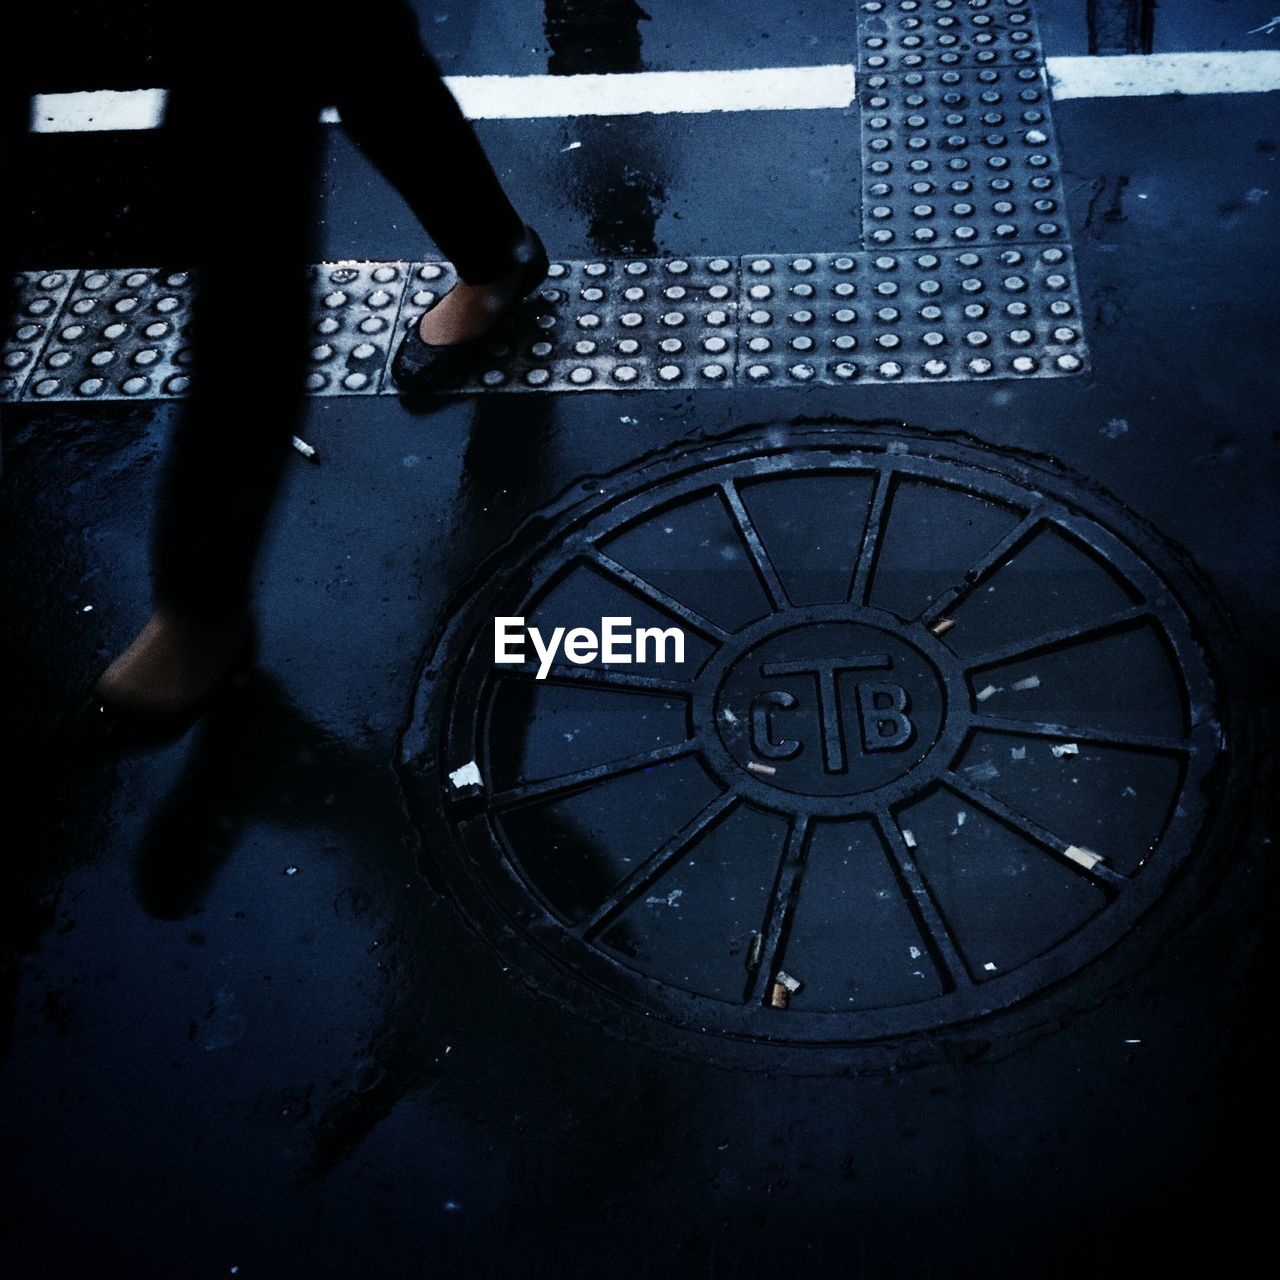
pixel 924 317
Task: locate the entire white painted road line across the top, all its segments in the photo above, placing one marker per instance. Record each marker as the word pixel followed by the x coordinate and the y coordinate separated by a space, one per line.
pixel 766 89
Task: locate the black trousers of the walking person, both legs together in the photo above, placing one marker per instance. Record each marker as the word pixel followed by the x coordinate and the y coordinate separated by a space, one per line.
pixel 245 149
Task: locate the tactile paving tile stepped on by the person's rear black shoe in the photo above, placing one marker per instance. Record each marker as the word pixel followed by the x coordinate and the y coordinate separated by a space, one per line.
pixel 610 326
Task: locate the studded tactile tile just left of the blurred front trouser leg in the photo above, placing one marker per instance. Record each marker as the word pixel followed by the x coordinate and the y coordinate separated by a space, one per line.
pixel 122 335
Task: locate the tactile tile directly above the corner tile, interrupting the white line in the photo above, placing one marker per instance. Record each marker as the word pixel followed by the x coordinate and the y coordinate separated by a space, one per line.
pixel 959 158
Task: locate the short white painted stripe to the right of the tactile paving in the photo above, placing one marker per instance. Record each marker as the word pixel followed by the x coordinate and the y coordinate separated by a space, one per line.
pixel 1153 75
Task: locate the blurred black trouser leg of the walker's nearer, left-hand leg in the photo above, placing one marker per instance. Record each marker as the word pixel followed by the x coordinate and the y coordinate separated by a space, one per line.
pixel 246 191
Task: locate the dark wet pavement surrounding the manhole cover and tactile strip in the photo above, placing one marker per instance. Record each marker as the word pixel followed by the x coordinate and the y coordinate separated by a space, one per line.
pixel 248 1031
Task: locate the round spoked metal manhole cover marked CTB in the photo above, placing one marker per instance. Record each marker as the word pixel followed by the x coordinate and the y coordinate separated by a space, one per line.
pixel 939 737
